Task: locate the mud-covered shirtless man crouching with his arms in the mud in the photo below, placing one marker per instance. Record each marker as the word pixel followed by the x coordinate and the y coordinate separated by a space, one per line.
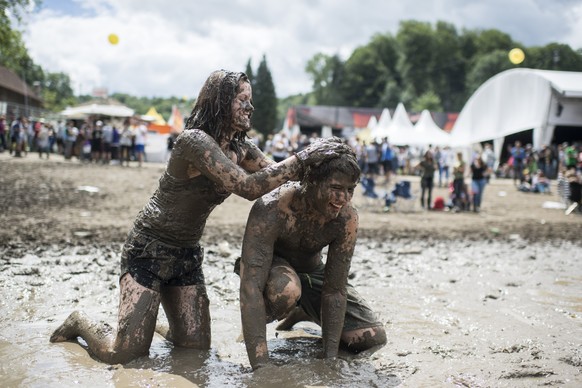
pixel 281 268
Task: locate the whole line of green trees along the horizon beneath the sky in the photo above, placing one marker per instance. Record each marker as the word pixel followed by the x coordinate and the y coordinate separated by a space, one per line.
pixel 424 66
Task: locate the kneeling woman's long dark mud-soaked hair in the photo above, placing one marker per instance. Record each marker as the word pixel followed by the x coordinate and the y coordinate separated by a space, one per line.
pixel 212 112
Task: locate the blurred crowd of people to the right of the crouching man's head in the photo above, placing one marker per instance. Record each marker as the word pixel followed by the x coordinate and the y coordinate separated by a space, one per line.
pixel 531 170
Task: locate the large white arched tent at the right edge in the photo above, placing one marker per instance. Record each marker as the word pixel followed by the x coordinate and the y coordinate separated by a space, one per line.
pixel 517 100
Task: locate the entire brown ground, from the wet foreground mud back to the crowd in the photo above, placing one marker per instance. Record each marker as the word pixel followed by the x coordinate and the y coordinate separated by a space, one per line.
pixel 479 300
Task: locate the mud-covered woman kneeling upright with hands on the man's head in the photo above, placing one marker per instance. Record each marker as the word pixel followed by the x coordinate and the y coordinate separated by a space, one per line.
pixel 161 259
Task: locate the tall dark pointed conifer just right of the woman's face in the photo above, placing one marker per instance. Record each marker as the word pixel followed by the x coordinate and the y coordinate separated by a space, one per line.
pixel 264 100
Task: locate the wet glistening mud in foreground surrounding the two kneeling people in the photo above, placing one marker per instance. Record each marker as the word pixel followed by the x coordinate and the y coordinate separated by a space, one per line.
pixel 458 313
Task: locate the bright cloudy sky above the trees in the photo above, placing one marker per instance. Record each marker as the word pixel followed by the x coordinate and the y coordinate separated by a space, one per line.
pixel 168 48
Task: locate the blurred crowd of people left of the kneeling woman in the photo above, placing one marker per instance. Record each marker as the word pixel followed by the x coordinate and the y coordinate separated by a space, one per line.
pixel 89 141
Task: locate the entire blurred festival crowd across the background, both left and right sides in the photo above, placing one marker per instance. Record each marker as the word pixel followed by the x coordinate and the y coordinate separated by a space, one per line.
pixel 531 170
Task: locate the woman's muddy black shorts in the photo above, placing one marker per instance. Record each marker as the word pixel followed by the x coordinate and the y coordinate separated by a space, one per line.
pixel 154 264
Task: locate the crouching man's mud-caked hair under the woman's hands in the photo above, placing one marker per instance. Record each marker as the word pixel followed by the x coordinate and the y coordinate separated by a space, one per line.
pixel 345 162
